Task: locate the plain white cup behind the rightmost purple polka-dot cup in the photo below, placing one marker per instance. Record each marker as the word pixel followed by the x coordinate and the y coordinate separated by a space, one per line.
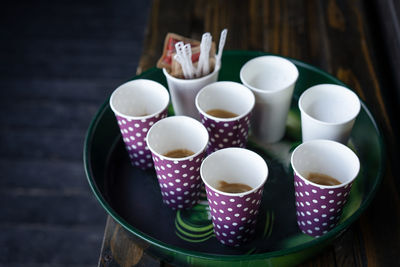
pixel 328 111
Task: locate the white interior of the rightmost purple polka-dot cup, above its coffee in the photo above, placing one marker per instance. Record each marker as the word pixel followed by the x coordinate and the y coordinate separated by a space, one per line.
pixel 326 157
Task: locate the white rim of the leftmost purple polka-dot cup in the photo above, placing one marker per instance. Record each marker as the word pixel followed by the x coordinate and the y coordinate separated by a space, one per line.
pixel 159 85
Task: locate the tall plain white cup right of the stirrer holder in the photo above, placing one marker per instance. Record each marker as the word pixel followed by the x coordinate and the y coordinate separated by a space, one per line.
pixel 272 80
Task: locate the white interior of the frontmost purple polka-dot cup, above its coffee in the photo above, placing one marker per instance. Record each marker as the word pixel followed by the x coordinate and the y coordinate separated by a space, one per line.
pixel 234 165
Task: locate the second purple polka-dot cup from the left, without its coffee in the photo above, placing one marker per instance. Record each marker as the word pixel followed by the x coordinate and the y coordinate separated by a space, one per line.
pixel 179 178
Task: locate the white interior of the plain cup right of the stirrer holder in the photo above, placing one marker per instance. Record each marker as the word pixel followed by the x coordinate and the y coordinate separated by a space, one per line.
pixel 268 74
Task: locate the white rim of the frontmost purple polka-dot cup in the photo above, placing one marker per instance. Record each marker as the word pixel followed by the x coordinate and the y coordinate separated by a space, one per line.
pixel 242 194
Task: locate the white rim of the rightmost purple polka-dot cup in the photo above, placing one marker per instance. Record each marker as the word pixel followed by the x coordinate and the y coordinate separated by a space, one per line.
pixel 319 185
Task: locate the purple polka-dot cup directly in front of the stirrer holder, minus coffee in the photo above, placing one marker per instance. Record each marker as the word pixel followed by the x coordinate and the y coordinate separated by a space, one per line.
pixel 227 96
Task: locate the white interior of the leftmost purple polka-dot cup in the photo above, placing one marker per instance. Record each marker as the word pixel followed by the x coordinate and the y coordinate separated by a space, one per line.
pixel 139 98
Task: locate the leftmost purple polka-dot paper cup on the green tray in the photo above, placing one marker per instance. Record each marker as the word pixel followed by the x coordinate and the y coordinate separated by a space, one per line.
pixel 137 105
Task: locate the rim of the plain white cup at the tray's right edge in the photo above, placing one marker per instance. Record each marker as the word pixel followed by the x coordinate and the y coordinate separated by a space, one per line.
pixel 316 87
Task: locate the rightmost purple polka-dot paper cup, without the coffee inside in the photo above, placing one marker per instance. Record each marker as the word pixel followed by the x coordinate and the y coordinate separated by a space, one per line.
pixel 319 207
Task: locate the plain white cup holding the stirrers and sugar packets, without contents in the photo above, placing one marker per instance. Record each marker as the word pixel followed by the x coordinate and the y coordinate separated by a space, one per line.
pixel 183 92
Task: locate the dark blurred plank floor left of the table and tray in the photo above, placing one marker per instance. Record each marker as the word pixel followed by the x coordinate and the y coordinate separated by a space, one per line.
pixel 59 61
